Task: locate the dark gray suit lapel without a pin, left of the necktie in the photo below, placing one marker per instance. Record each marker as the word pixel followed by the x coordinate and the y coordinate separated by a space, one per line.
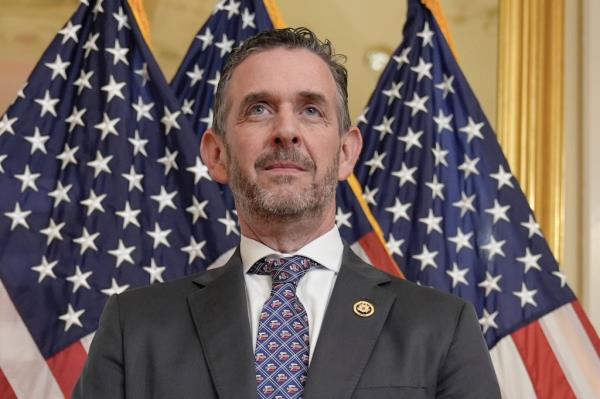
pixel 220 314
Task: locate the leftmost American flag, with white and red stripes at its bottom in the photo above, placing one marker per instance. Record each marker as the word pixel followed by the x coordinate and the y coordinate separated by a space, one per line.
pixel 101 191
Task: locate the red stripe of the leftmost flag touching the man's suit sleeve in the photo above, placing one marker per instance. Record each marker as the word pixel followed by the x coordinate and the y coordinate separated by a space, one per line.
pixel 67 366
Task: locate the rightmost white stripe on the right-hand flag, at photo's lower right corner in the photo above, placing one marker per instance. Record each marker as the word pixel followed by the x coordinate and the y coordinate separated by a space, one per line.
pixel 574 351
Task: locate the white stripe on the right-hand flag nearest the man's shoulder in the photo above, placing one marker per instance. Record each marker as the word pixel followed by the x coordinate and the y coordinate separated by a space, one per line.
pixel 511 372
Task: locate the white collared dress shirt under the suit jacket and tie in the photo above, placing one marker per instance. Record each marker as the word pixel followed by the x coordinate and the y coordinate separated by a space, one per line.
pixel 314 288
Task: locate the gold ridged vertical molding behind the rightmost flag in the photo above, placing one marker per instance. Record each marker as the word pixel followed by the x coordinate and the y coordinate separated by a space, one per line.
pixel 530 106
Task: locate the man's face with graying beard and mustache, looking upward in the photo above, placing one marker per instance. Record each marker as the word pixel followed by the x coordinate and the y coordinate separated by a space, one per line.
pixel 282 138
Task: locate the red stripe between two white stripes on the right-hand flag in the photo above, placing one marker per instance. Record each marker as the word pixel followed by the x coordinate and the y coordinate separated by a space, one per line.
pixel 545 372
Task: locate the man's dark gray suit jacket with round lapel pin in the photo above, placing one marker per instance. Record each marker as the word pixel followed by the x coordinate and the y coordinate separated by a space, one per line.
pixel 190 338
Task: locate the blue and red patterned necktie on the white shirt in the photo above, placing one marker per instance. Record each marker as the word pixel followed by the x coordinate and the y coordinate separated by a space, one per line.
pixel 282 345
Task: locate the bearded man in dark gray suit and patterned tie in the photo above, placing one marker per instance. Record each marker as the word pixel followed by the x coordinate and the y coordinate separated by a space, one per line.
pixel 294 313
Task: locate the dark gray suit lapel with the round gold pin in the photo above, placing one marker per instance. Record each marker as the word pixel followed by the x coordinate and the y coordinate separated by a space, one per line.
pixel 346 340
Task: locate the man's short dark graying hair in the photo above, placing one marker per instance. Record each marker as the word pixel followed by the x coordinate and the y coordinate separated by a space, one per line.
pixel 289 38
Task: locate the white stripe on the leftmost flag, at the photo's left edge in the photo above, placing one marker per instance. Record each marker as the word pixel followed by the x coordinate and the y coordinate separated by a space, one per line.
pixel 20 360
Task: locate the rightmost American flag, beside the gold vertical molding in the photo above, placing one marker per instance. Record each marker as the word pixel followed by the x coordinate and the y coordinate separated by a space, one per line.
pixel 456 219
